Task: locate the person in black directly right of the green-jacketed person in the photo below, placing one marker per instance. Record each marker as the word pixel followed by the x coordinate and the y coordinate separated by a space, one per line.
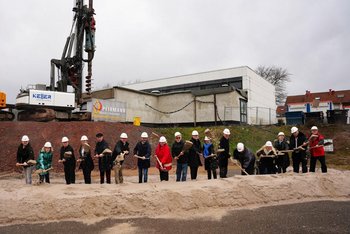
pixel 68 159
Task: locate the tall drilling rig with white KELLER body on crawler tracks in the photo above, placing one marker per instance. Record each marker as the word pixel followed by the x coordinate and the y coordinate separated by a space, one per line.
pixel 45 103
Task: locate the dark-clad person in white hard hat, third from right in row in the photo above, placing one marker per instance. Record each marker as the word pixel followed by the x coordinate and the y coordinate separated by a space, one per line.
pixel 282 160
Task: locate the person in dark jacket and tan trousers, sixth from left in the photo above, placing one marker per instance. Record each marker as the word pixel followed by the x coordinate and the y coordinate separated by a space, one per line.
pixel 121 149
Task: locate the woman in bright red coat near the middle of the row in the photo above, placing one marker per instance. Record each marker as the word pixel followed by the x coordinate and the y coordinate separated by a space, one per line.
pixel 164 159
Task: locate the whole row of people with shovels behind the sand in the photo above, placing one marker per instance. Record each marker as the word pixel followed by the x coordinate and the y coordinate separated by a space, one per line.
pixel 272 157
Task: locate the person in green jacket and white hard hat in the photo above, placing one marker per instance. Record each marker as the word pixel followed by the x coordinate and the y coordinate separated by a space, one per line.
pixel 44 163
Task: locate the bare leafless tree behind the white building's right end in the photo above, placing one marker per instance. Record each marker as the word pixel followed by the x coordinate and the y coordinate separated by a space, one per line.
pixel 278 77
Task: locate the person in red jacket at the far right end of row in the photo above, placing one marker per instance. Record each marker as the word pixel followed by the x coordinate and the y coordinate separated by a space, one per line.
pixel 317 150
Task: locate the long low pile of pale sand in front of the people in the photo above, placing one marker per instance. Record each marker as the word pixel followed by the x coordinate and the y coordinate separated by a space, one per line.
pixel 20 203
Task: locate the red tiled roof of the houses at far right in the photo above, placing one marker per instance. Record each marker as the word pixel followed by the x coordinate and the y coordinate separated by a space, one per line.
pixel 341 96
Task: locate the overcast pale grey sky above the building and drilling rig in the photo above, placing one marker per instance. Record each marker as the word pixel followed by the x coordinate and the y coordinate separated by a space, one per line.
pixel 151 39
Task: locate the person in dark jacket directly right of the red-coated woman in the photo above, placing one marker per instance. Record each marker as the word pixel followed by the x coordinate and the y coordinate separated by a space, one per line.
pixel 180 156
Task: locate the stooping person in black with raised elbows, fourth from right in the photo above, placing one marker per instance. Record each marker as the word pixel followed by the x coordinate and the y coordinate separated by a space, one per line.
pixel 267 159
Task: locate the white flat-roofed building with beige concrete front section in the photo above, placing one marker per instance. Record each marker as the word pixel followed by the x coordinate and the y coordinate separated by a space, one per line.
pixel 234 95
